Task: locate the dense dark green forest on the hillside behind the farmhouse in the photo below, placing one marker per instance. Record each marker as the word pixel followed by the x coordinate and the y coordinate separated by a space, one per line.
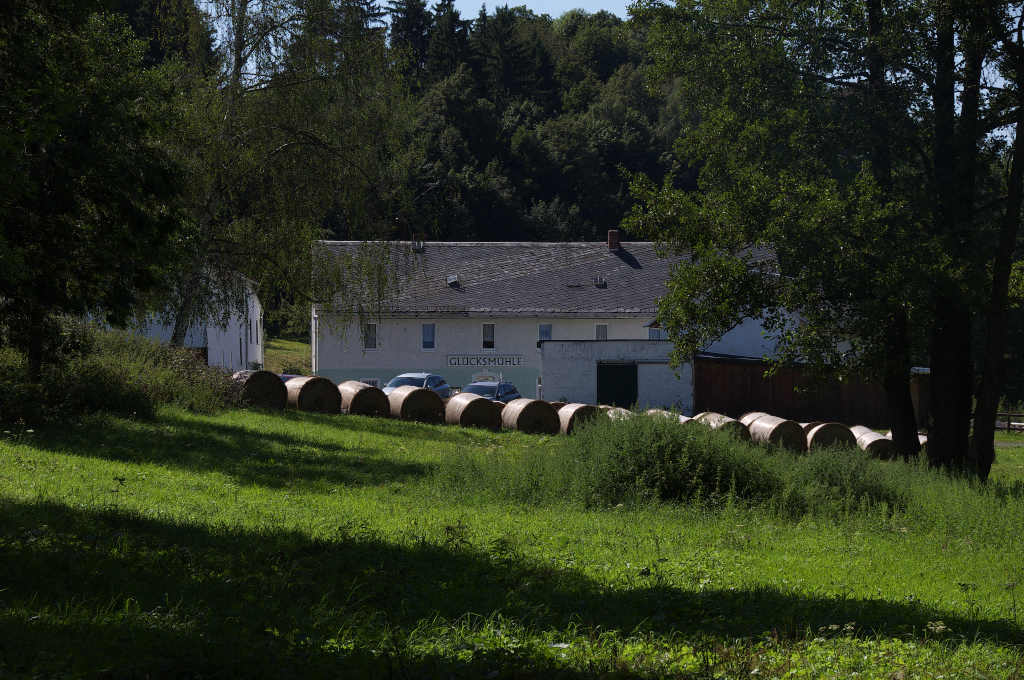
pixel 516 126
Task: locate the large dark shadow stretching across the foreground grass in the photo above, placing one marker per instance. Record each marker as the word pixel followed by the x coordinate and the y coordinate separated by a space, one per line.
pixel 94 591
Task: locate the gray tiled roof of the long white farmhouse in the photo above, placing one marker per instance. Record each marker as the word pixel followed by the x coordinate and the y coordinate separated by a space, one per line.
pixel 529 279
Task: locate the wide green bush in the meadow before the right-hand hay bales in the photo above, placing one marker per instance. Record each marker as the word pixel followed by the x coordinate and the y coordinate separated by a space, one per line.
pixel 653 459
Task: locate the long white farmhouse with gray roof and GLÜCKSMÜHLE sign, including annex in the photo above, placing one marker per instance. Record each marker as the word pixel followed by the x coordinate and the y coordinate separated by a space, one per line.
pixel 485 311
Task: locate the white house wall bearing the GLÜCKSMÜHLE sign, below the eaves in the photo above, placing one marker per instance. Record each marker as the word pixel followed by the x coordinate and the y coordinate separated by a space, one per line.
pixel 400 348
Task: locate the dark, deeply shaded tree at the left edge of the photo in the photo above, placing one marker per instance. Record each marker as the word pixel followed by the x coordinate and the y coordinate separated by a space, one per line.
pixel 88 187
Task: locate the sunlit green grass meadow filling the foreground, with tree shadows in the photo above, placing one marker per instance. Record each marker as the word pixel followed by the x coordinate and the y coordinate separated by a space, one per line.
pixel 258 544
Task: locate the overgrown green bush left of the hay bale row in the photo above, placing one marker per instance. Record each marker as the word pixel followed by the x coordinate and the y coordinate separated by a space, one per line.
pixel 93 371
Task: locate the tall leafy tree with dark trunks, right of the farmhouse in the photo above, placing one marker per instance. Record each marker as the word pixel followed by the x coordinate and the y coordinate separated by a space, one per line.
pixel 809 135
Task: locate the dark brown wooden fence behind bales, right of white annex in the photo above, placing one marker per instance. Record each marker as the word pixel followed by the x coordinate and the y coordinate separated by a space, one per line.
pixel 736 387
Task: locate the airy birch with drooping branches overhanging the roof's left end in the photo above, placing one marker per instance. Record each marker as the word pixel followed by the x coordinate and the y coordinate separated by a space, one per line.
pixel 269 148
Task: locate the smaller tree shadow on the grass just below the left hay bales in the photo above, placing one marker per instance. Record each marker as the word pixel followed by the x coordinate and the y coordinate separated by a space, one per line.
pixel 252 454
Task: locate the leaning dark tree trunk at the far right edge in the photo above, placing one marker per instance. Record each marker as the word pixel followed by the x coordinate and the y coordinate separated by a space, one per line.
pixel 998 313
